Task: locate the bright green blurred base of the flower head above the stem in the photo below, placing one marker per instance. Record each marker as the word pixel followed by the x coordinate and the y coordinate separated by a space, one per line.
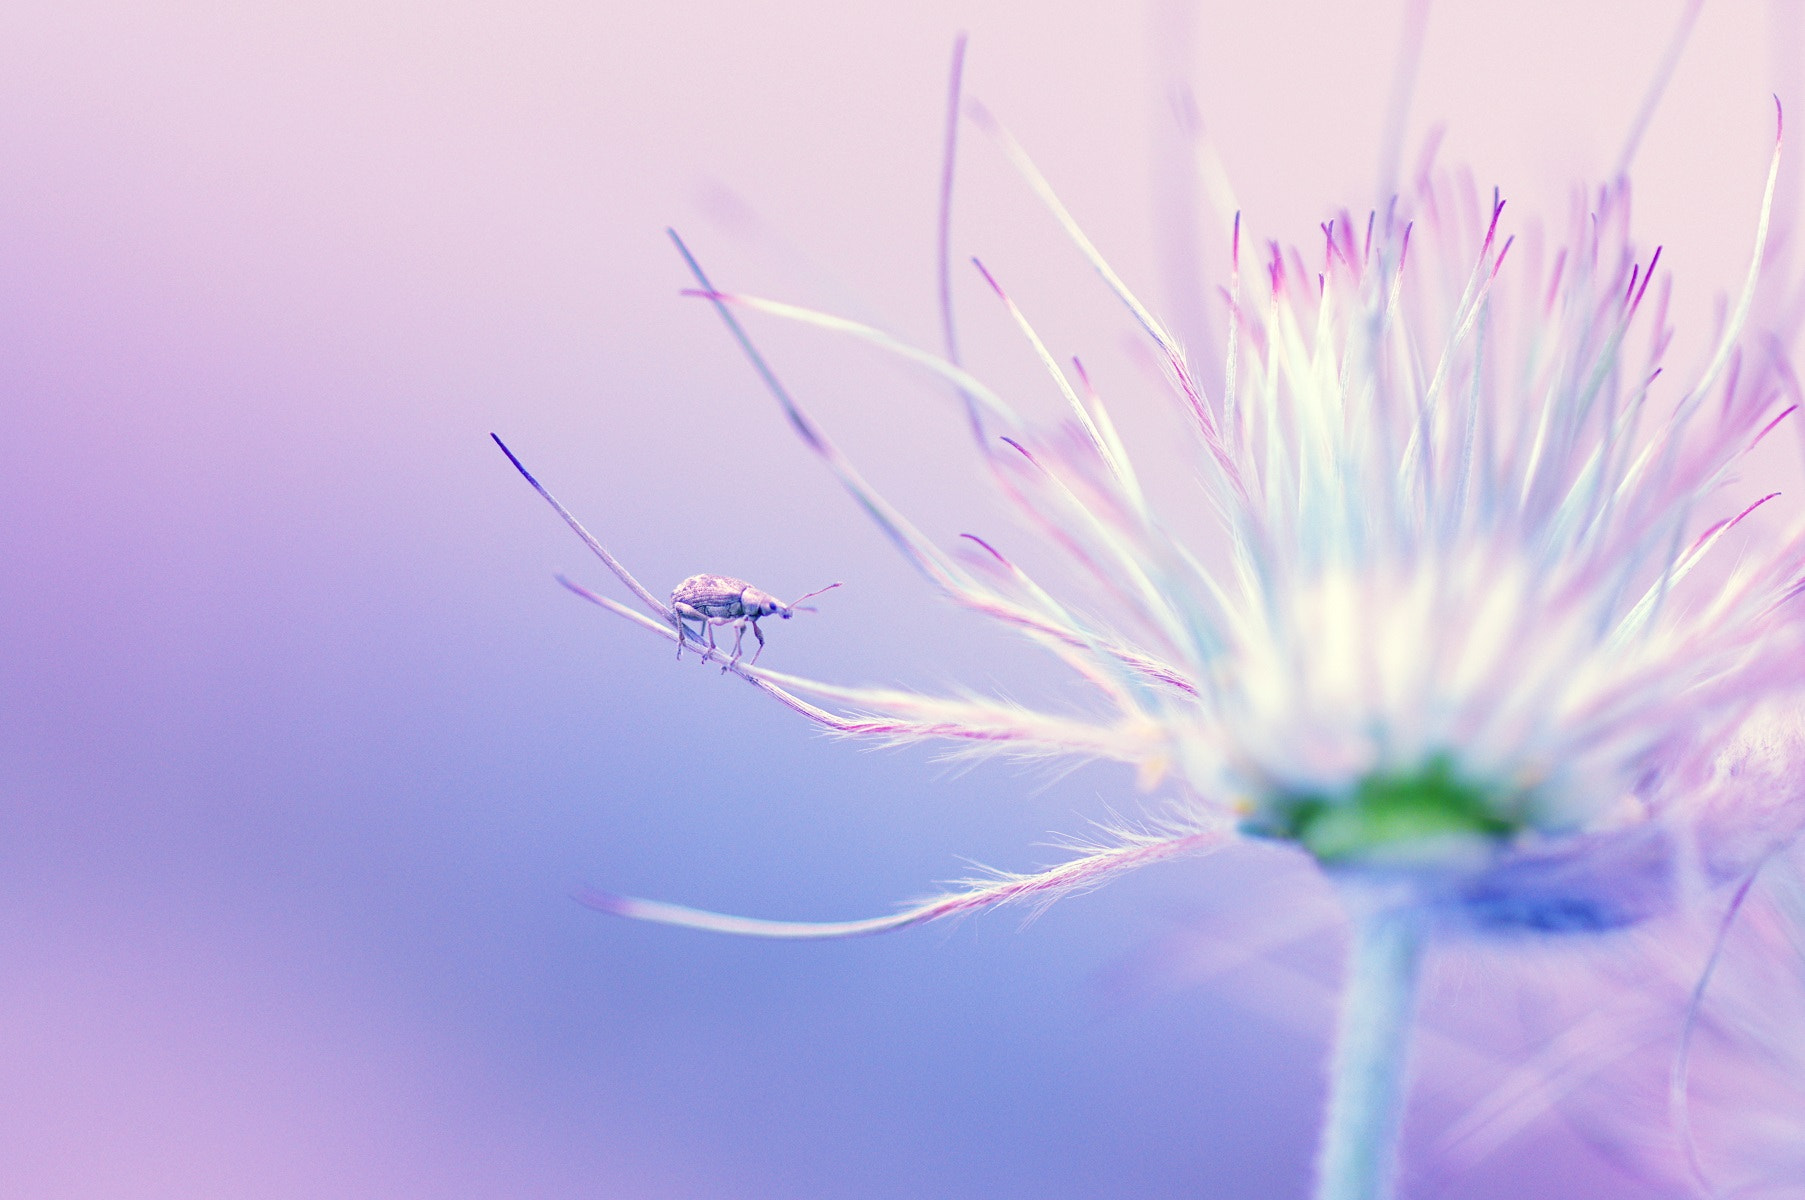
pixel 1393 817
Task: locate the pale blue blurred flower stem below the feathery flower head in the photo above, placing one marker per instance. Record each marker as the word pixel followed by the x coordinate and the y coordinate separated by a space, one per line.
pixel 1358 1156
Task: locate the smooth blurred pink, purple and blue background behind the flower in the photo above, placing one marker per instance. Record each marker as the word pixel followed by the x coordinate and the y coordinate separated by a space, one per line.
pixel 302 752
